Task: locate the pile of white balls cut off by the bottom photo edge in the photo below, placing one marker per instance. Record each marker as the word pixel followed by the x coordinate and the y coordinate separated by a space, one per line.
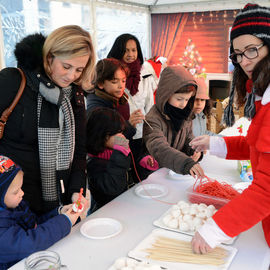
pixel 125 263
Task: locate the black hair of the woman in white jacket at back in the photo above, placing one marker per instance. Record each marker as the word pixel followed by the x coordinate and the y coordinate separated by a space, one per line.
pixel 119 47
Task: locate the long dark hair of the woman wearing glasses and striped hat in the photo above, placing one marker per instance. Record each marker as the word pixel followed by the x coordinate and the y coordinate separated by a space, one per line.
pixel 260 78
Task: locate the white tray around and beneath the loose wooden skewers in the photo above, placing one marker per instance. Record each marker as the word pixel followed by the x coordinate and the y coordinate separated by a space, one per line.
pixel 139 253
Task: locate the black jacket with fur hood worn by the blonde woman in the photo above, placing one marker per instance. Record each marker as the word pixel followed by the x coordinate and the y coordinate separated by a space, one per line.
pixel 20 140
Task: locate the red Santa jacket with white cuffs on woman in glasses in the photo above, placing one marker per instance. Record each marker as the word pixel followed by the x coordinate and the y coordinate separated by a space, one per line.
pixel 253 205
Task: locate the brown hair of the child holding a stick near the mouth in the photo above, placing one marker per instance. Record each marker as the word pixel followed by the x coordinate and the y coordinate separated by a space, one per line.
pixel 106 68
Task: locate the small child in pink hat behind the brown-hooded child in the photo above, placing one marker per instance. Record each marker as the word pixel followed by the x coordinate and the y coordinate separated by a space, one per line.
pixel 201 109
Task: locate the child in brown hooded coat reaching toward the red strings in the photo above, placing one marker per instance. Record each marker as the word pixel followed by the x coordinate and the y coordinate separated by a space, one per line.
pixel 170 118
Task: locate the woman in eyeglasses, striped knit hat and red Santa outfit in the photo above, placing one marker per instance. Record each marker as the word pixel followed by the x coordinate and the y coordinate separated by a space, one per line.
pixel 250 45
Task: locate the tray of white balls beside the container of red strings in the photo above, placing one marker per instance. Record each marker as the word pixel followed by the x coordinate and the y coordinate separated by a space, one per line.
pixel 187 218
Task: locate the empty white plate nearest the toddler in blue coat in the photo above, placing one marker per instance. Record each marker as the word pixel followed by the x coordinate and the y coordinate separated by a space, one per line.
pixel 101 228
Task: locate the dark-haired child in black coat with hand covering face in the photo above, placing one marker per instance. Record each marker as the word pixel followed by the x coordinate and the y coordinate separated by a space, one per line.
pixel 108 164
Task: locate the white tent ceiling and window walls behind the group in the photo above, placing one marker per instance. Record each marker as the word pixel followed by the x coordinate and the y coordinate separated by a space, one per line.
pixel 133 16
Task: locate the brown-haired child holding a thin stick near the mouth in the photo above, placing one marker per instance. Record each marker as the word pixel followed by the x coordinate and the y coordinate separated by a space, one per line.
pixel 109 87
